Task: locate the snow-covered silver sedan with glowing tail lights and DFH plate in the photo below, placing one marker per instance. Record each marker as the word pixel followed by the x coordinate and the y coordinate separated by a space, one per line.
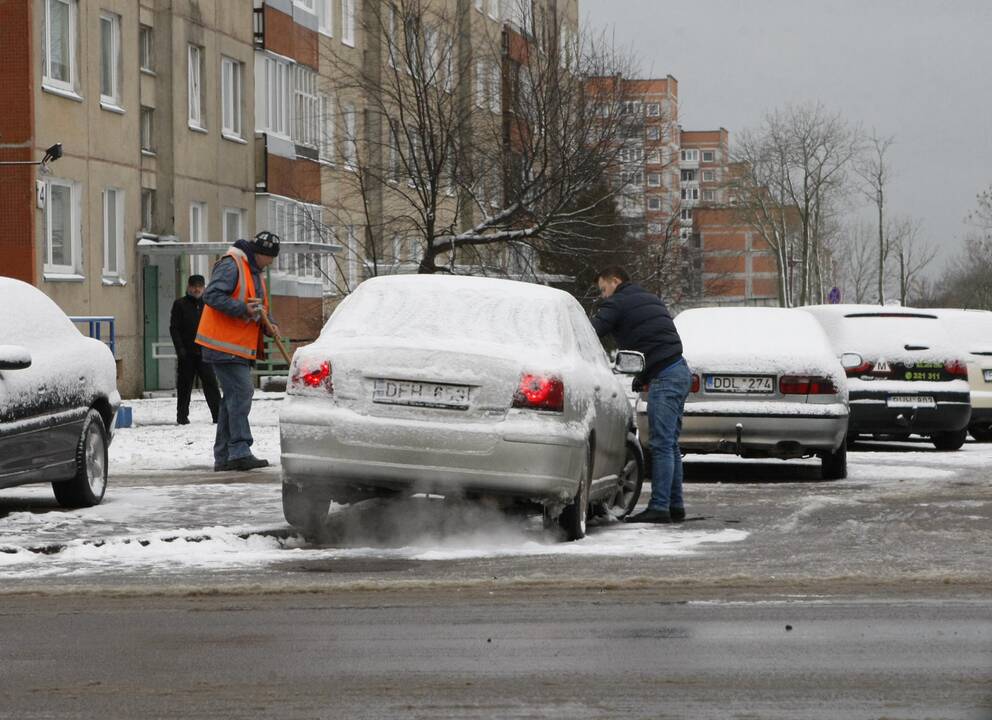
pixel 458 386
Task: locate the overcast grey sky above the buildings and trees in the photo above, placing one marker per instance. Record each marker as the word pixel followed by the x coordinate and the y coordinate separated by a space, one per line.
pixel 918 70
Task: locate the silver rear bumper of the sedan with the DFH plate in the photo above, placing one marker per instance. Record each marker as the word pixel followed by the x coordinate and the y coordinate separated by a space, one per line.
pixel 528 458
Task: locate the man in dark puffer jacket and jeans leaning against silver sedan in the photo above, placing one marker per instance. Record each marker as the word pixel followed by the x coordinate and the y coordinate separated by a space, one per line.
pixel 638 320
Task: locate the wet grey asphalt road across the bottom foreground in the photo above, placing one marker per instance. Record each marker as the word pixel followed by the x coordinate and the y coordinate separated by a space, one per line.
pixel 498 654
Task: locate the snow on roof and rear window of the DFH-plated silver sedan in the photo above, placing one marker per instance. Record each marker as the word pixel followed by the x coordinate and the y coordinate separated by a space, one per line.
pixel 439 308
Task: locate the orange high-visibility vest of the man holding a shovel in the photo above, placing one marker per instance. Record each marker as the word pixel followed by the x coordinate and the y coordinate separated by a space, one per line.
pixel 237 336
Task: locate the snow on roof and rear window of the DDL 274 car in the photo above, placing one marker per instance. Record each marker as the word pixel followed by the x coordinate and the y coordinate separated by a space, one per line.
pixel 734 338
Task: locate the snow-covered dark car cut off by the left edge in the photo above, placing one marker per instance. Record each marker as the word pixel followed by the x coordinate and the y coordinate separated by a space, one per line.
pixel 58 399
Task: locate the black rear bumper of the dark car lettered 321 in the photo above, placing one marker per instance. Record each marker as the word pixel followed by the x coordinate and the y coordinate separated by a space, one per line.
pixel 871 414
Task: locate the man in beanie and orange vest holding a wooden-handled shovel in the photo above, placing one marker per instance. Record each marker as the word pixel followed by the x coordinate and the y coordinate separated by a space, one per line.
pixel 230 333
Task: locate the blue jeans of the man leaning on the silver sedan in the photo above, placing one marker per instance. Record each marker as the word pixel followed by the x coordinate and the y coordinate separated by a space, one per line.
pixel 666 402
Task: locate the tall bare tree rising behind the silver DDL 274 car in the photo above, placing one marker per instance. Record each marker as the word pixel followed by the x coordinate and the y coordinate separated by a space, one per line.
pixel 793 171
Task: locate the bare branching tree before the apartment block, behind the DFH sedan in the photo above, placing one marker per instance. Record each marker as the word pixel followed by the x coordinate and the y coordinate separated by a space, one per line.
pixel 476 142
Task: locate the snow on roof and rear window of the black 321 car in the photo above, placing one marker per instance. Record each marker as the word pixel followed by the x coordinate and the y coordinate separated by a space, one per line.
pixel 892 332
